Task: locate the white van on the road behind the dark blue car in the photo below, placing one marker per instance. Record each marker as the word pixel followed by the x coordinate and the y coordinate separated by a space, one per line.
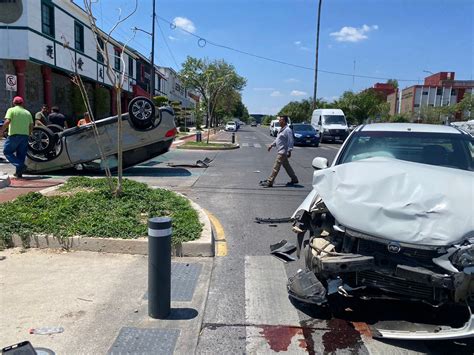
pixel 331 124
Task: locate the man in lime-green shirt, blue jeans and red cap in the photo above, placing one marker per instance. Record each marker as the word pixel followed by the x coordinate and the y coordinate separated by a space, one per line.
pixel 20 124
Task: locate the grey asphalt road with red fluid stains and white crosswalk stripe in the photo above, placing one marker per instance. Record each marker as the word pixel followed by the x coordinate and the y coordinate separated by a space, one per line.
pixel 248 286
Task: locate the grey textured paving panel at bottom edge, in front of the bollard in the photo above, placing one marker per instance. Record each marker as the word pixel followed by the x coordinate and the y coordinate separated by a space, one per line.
pixel 144 341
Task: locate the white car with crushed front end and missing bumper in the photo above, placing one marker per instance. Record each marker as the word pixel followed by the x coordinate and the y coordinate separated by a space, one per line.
pixel 392 218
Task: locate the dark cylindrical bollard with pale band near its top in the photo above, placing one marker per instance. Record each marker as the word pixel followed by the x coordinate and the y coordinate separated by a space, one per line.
pixel 159 267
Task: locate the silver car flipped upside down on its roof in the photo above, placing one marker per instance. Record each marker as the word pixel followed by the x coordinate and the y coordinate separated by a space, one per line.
pixel 148 131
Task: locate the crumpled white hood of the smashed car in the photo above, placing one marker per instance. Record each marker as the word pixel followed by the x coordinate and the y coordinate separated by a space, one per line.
pixel 398 200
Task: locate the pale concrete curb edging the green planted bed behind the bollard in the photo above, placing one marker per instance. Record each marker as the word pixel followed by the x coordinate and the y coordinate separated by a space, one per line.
pixel 202 247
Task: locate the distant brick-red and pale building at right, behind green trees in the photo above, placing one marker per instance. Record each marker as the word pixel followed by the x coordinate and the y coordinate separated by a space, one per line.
pixel 439 89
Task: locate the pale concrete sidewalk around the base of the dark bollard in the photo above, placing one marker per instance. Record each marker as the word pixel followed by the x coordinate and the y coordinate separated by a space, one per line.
pixel 100 300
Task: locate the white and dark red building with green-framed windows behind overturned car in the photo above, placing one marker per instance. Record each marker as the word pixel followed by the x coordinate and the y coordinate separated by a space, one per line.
pixel 44 42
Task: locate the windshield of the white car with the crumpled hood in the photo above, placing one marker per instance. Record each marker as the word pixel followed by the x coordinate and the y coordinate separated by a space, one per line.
pixel 449 150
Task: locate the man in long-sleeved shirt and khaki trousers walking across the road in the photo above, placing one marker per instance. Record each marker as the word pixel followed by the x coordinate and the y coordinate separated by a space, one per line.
pixel 284 144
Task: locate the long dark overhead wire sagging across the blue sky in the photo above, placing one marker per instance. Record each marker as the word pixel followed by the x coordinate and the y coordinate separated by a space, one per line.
pixel 202 42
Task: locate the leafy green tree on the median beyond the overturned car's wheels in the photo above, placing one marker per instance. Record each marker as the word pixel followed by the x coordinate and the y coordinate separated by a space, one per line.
pixel 210 79
